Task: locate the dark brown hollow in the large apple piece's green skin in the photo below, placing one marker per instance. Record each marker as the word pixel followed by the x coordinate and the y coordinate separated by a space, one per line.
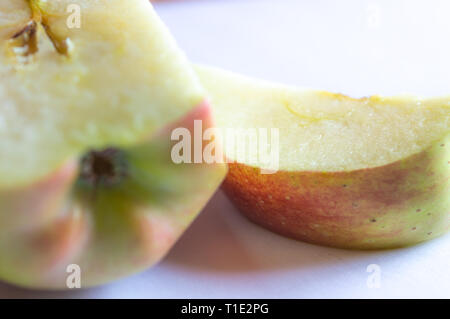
pixel 107 167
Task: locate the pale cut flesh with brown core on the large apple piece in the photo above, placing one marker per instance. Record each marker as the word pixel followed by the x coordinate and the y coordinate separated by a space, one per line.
pixel 55 103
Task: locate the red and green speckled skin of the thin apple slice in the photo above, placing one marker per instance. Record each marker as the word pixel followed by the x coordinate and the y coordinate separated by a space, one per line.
pixel 400 204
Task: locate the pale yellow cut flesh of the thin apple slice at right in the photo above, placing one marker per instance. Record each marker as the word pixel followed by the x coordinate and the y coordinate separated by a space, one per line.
pixel 322 131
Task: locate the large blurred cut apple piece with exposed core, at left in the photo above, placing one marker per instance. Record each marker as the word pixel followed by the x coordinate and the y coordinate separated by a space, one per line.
pixel 86 117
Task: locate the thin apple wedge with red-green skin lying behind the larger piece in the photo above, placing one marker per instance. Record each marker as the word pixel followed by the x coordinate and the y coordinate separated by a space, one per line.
pixel 355 173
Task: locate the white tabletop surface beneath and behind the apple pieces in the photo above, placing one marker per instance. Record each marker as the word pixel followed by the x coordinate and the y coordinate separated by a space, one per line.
pixel 355 47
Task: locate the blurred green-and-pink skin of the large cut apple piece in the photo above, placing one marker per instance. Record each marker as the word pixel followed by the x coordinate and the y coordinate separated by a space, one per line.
pixel 112 233
